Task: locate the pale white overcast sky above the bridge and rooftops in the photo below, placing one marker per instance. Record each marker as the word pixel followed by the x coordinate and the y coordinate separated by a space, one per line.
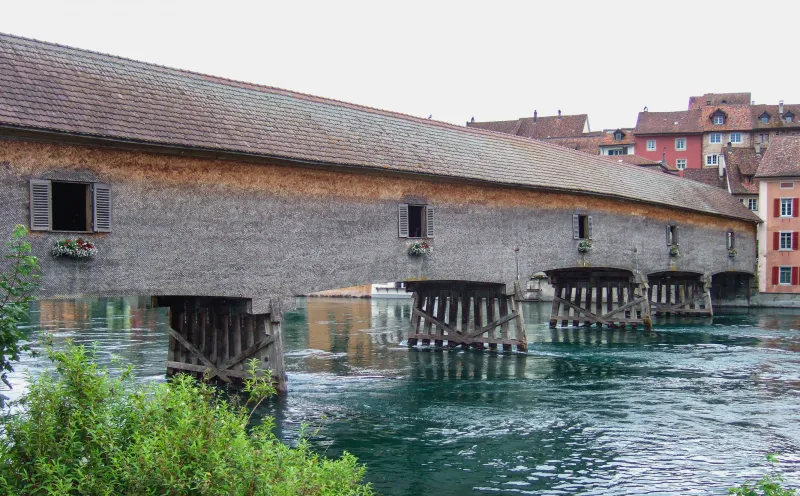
pixel 454 60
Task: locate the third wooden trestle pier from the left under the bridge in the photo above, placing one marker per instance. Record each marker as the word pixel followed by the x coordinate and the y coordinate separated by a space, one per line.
pixel 601 297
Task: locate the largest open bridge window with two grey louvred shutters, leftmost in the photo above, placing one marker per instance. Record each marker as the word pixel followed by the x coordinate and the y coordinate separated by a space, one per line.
pixel 70 206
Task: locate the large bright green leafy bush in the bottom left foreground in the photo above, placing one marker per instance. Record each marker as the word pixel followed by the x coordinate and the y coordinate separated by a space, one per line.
pixel 84 432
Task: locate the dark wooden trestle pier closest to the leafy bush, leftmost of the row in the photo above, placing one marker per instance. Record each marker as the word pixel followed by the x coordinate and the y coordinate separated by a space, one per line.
pixel 214 338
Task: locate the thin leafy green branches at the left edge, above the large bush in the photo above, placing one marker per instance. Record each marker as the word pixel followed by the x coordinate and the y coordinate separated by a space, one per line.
pixel 16 285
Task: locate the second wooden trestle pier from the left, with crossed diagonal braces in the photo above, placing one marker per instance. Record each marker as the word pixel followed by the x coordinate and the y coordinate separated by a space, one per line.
pixel 468 314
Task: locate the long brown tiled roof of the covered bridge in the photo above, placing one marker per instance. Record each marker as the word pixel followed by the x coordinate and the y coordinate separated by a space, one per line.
pixel 45 86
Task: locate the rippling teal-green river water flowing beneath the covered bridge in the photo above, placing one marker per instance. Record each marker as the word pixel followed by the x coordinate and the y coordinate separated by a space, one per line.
pixel 691 408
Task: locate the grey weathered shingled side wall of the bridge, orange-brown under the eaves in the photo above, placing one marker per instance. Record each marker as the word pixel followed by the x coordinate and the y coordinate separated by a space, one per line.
pixel 198 226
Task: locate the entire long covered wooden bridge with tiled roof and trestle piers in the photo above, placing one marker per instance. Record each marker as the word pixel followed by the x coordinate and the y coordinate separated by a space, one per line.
pixel 225 199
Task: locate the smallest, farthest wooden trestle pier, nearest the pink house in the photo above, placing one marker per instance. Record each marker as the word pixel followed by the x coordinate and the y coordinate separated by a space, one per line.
pixel 680 294
